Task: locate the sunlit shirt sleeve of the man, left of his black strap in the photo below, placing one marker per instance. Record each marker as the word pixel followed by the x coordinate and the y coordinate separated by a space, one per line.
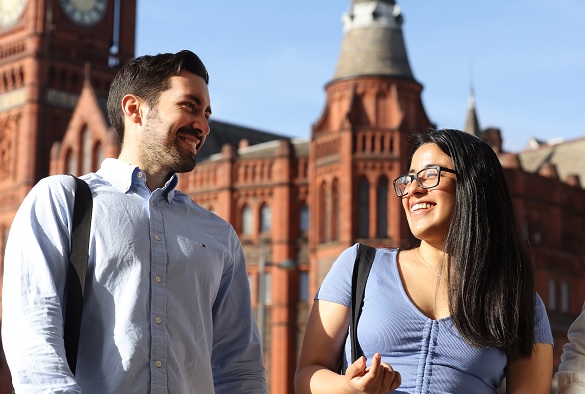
pixel 35 269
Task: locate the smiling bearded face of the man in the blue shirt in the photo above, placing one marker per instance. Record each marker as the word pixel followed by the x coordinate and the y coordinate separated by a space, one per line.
pixel 175 129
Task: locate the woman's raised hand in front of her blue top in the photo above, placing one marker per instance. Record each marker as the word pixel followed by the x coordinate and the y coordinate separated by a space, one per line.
pixel 377 378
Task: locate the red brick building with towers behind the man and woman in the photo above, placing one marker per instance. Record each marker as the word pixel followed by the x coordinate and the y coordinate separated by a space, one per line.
pixel 290 200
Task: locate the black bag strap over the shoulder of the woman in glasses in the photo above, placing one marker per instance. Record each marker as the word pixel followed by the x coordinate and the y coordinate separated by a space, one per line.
pixel 361 270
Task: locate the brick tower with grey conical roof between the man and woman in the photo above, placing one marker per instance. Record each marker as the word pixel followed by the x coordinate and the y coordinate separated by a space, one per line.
pixel 360 143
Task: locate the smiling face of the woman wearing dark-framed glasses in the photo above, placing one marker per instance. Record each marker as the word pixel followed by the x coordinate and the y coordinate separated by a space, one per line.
pixel 429 211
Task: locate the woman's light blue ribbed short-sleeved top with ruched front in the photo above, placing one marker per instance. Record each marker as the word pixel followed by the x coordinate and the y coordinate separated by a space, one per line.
pixel 431 355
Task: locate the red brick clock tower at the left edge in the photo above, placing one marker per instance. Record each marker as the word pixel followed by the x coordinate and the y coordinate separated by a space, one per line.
pixel 50 50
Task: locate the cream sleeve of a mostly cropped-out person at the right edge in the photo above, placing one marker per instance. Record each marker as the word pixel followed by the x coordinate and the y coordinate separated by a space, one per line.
pixel 571 374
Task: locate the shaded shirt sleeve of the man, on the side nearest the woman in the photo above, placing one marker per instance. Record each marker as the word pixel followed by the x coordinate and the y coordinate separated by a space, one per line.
pixel 237 358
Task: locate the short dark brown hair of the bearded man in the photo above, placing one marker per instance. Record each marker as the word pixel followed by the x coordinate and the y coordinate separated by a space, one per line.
pixel 147 77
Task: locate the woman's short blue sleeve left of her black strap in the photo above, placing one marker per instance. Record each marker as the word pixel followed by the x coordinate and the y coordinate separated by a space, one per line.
pixel 336 287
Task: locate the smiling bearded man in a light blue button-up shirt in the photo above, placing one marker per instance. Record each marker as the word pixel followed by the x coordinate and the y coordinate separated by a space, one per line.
pixel 167 302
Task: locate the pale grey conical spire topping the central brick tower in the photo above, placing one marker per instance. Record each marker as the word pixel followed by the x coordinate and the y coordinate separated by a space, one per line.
pixel 373 43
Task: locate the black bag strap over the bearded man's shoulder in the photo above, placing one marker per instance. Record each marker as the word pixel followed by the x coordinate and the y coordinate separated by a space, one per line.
pixel 77 269
